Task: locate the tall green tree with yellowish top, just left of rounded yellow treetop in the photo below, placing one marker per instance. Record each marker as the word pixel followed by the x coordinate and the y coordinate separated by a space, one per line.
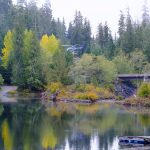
pixel 31 61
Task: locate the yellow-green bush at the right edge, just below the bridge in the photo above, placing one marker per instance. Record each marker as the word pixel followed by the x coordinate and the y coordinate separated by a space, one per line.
pixel 144 90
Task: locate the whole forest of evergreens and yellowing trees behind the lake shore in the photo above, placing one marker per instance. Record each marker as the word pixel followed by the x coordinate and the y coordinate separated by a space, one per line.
pixel 33 52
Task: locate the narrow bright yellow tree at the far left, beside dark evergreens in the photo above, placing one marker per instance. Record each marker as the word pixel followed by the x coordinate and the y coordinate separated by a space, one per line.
pixel 8 47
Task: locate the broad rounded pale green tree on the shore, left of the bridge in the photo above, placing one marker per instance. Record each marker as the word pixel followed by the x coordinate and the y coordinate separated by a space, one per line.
pixel 91 67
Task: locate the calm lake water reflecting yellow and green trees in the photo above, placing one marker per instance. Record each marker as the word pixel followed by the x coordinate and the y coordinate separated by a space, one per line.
pixel 32 126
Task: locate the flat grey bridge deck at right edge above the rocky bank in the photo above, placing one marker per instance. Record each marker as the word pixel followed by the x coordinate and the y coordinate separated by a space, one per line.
pixel 124 77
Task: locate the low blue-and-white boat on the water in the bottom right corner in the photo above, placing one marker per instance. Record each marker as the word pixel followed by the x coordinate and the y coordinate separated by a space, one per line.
pixel 134 140
